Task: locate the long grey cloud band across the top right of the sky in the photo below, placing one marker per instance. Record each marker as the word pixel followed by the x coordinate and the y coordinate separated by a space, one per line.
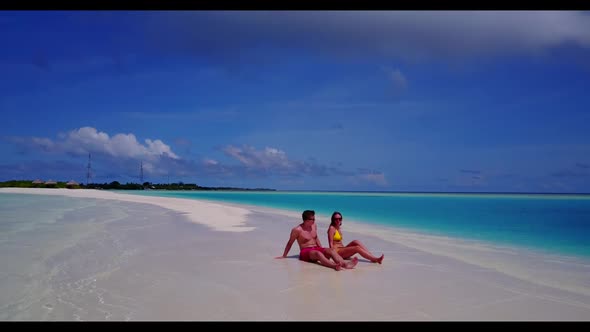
pixel 413 35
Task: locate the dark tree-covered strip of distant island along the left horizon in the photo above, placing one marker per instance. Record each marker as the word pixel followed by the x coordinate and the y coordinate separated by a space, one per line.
pixel 115 185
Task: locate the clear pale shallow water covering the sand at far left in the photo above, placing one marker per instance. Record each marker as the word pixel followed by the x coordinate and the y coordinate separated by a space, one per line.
pixel 55 251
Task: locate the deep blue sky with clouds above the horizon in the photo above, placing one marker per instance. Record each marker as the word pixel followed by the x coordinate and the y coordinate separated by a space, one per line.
pixel 327 100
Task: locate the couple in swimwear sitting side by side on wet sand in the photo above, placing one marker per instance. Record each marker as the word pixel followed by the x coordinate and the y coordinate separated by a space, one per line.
pixel 334 256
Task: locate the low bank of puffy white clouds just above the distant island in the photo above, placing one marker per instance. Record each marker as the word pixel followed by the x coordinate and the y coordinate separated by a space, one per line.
pixel 121 156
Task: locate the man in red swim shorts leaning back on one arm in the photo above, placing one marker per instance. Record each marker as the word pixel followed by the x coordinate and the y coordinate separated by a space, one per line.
pixel 311 249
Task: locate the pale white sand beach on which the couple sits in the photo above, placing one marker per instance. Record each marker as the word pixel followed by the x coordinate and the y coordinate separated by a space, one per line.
pixel 178 259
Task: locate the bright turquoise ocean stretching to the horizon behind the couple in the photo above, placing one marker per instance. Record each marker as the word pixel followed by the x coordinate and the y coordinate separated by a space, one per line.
pixel 550 223
